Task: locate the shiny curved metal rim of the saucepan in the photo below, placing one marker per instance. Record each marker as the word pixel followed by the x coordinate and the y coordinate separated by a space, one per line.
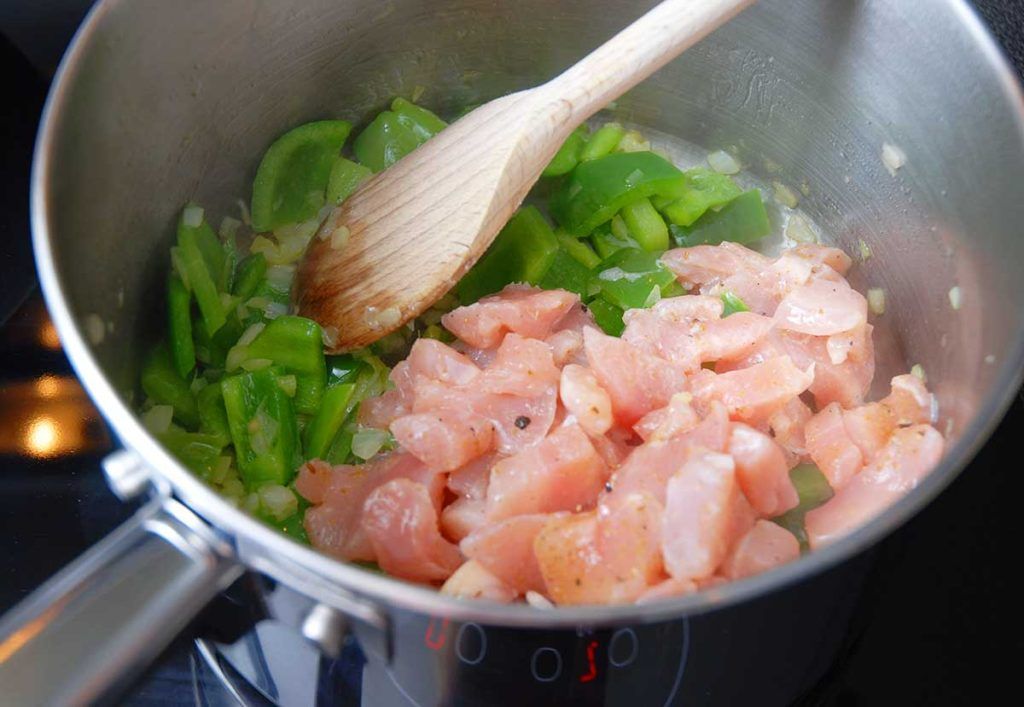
pixel 387 592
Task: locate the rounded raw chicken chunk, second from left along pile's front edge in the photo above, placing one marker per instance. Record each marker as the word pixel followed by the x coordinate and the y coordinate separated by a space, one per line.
pixel 401 522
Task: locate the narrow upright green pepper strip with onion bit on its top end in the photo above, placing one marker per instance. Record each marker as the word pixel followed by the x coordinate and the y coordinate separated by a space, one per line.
pixel 195 258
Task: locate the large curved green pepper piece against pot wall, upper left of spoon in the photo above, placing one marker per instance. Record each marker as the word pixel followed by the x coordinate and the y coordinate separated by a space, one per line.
pixel 291 182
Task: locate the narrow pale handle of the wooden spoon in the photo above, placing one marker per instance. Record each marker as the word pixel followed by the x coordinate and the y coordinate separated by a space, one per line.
pixel 636 53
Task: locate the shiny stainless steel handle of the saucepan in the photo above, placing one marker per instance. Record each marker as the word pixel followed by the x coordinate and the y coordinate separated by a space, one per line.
pixel 90 631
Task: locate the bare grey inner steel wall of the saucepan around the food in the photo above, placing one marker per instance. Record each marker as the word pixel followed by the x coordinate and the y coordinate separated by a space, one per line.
pixel 159 104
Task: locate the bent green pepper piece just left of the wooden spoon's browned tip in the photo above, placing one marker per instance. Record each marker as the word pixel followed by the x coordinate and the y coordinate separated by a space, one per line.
pixel 296 345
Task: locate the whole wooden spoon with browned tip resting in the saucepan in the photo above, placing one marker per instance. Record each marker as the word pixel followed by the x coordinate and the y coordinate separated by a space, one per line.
pixel 406 237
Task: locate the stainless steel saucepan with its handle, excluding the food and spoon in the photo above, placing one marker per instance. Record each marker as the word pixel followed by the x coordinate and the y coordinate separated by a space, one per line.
pixel 157 104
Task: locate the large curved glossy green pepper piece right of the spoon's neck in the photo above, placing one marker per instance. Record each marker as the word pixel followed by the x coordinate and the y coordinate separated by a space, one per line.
pixel 596 191
